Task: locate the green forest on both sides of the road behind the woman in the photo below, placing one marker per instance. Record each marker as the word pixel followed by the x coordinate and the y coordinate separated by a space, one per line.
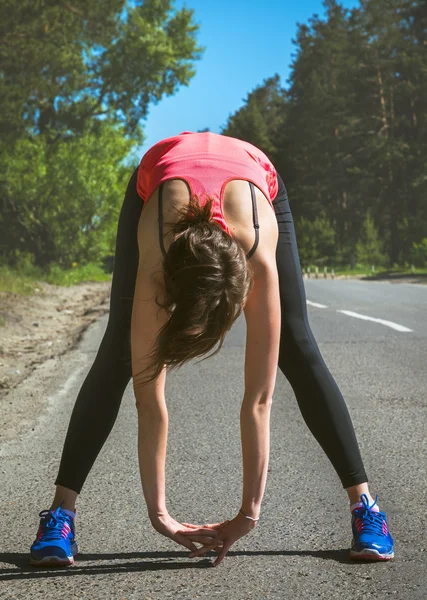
pixel 347 131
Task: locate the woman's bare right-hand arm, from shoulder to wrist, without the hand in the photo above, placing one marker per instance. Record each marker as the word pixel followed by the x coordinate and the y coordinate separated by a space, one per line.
pixel 263 319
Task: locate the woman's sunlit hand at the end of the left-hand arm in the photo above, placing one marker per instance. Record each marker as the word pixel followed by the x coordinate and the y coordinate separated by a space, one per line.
pixel 180 533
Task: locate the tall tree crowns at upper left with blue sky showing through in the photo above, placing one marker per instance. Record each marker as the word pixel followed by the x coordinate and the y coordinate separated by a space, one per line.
pixel 65 64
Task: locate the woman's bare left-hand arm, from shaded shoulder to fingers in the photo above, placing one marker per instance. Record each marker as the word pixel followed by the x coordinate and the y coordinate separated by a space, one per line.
pixel 147 319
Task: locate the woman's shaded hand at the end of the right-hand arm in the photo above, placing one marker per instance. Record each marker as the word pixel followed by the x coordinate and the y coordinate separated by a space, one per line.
pixel 227 532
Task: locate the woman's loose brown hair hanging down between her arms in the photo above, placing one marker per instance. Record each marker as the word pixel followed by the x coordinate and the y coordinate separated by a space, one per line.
pixel 207 282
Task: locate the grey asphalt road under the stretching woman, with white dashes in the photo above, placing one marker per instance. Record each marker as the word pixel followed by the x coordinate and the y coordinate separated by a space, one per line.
pixel 299 549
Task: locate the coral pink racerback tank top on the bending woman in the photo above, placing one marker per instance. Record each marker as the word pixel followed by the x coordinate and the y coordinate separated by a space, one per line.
pixel 207 162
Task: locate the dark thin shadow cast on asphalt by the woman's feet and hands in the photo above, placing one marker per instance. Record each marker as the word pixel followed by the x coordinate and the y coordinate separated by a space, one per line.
pixel 150 561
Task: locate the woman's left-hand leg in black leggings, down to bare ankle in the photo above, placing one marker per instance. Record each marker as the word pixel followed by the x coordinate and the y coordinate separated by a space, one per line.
pixel 99 399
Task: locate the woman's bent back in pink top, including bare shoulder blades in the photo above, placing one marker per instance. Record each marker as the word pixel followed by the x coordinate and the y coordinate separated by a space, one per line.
pixel 191 163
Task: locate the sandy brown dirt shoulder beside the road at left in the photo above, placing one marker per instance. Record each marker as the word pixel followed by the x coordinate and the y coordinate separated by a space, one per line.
pixel 45 325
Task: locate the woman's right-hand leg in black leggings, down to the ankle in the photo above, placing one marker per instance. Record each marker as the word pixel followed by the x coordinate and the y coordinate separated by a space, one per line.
pixel 319 399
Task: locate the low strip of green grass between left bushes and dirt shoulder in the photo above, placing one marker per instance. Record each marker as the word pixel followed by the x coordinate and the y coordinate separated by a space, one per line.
pixel 26 279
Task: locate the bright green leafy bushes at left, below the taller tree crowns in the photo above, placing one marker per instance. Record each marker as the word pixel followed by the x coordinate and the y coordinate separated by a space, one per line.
pixel 61 203
